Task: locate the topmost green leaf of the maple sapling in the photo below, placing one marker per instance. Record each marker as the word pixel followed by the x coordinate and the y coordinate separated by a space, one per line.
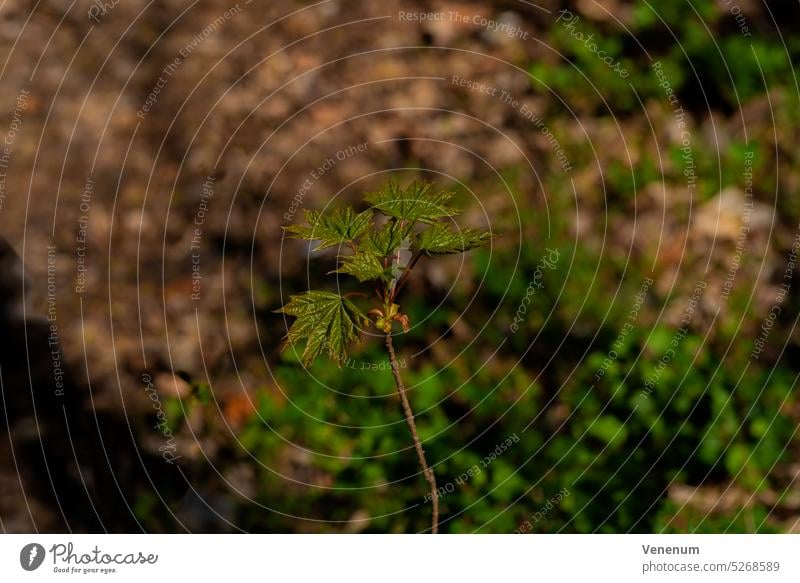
pixel 417 202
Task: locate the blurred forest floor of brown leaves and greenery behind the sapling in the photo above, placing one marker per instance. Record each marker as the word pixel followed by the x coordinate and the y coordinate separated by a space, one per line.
pixel 623 358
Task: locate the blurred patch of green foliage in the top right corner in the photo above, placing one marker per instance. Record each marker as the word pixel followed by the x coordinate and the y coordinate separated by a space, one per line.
pixel 707 58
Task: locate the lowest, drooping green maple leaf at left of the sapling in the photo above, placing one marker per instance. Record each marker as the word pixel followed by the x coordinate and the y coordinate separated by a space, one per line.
pixel 326 321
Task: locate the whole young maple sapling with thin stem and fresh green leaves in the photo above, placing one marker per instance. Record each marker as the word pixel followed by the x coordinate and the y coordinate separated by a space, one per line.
pixel 379 247
